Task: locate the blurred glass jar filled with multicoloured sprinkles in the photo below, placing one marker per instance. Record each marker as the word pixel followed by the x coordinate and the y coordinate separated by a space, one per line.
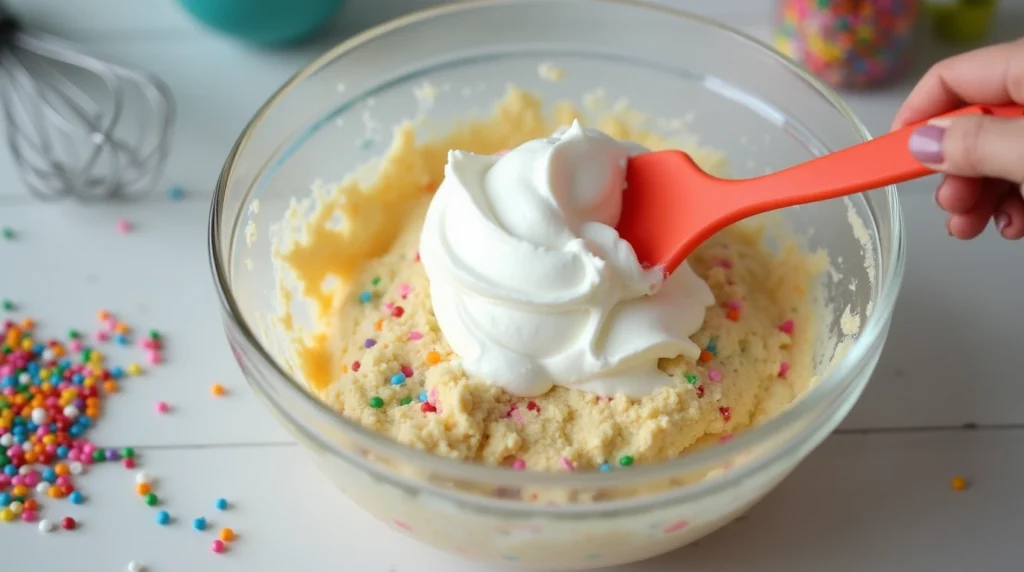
pixel 848 43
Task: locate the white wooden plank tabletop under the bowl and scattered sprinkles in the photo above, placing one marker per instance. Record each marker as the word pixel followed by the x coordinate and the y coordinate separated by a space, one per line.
pixel 875 497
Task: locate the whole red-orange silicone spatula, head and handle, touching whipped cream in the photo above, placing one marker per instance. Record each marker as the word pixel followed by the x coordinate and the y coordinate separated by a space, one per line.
pixel 671 206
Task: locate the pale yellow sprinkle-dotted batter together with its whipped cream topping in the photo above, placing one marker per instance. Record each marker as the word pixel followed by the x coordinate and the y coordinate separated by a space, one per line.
pixel 576 360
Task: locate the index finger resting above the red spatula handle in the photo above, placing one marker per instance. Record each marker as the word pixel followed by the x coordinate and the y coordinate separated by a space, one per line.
pixel 992 75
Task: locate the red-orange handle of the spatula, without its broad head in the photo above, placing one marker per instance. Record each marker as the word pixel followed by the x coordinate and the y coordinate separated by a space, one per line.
pixel 874 164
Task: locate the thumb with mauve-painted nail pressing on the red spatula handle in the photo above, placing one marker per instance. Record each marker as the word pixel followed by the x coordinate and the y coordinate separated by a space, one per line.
pixel 972 147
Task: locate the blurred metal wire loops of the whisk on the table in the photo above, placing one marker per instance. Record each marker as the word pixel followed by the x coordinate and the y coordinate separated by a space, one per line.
pixel 77 125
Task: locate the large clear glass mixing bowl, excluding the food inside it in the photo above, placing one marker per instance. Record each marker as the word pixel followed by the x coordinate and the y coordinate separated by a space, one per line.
pixel 744 99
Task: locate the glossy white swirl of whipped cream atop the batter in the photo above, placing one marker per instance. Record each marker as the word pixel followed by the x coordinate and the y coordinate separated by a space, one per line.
pixel 532 285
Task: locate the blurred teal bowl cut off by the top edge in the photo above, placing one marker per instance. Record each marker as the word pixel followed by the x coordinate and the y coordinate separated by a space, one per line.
pixel 264 22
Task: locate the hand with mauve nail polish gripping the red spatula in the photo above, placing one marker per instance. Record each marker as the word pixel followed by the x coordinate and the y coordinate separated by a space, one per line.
pixel 983 157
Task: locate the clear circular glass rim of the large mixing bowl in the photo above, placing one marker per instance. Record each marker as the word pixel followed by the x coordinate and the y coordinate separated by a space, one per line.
pixel 831 384
